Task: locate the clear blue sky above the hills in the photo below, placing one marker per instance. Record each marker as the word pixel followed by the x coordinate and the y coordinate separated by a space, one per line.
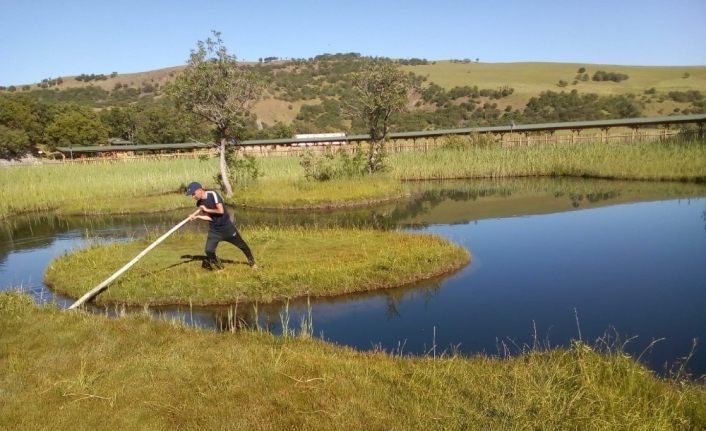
pixel 46 39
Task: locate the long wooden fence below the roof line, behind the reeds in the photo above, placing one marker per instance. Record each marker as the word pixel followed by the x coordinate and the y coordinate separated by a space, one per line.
pixel 623 130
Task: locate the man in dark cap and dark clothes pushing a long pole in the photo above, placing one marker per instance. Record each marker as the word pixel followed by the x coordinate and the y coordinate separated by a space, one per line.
pixel 220 227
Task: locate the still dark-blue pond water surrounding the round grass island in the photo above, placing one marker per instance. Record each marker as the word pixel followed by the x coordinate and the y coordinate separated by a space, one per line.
pixel 553 261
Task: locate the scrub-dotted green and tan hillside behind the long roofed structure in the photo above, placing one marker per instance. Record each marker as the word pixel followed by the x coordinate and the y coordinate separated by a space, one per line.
pixel 311 95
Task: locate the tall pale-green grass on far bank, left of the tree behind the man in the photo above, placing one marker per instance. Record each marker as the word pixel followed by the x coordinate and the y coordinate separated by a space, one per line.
pixel 77 188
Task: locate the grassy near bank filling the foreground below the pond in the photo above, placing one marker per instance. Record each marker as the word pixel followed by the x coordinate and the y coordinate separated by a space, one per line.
pixel 74 370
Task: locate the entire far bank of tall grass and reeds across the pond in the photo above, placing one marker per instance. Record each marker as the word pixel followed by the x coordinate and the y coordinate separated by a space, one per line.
pixel 150 186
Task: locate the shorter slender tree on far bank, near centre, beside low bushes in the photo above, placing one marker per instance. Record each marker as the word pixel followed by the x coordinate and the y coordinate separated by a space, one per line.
pixel 380 90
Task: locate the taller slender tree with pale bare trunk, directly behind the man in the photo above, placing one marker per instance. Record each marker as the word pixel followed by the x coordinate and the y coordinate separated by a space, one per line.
pixel 216 89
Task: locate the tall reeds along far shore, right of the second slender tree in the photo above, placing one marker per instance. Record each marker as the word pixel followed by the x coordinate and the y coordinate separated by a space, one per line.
pixel 672 160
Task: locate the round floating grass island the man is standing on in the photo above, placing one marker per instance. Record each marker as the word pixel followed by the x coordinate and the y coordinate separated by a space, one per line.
pixel 293 262
